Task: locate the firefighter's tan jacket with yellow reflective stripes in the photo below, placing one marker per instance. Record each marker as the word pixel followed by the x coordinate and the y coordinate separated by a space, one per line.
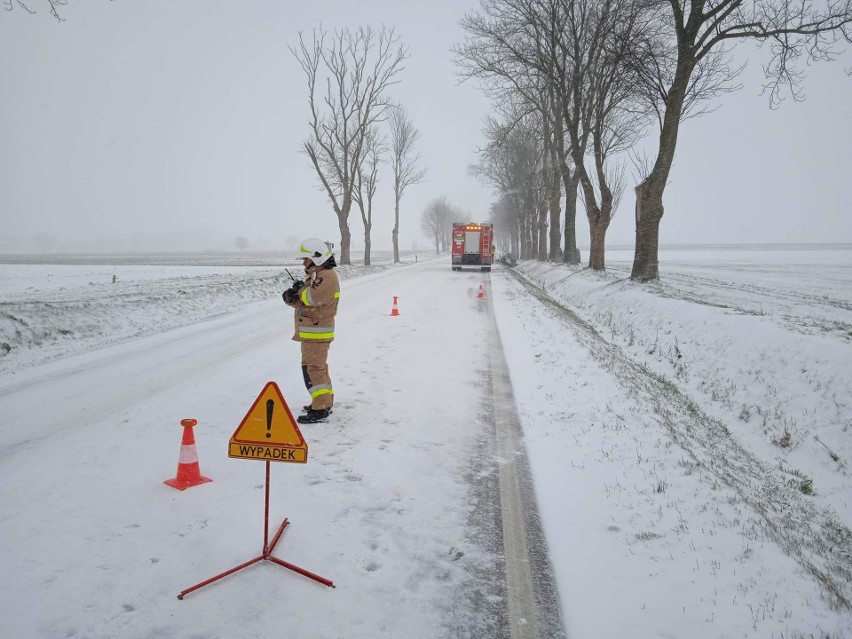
pixel 316 306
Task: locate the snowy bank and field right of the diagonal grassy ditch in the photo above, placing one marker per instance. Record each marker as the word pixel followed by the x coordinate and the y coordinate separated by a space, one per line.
pixel 779 378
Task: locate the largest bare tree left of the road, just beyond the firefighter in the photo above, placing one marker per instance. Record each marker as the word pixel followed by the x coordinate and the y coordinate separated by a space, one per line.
pixel 356 69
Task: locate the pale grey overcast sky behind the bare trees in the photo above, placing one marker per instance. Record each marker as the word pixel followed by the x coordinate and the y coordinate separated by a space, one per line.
pixel 177 125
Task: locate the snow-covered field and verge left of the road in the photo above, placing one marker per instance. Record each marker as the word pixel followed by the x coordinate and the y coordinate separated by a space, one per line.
pixel 54 310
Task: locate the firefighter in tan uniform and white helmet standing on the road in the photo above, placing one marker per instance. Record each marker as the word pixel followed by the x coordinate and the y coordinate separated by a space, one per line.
pixel 315 304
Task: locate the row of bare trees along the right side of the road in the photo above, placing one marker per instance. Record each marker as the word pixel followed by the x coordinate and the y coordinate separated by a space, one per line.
pixel 576 83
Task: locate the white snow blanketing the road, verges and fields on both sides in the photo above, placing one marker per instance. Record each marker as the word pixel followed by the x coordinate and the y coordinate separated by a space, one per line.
pixel 689 441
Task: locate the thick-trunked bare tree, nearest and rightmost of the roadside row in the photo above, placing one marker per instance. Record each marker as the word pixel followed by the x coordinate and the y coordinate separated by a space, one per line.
pixel 686 61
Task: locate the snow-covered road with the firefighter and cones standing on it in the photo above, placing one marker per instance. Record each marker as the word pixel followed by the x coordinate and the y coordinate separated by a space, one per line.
pixel 398 504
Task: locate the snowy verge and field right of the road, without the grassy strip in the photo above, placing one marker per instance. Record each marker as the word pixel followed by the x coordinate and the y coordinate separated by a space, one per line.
pixel 645 541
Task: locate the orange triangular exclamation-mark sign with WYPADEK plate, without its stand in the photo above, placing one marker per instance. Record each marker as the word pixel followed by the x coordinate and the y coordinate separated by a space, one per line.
pixel 268 431
